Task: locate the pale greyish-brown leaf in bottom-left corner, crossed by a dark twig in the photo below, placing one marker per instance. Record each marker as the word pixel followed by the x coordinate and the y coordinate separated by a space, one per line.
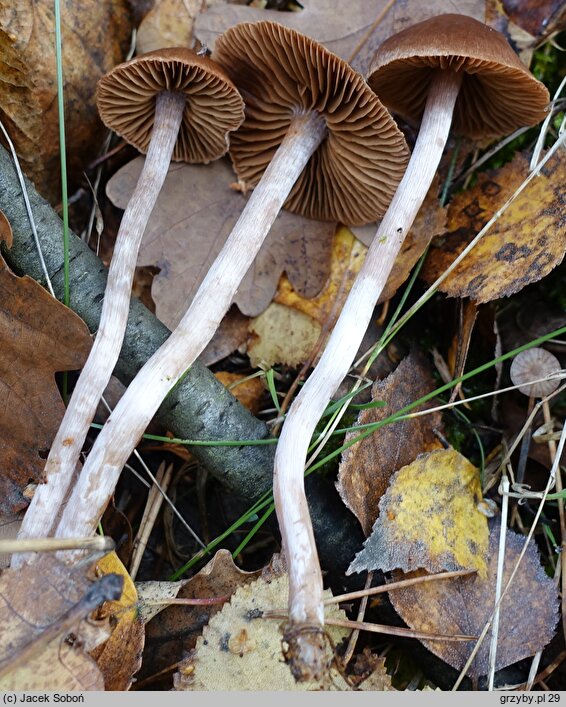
pixel 34 602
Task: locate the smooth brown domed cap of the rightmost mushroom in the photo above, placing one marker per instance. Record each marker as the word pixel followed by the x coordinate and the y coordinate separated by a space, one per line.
pixel 498 93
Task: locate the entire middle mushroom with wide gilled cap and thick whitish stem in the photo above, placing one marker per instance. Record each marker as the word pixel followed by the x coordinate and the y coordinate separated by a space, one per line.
pixel 325 146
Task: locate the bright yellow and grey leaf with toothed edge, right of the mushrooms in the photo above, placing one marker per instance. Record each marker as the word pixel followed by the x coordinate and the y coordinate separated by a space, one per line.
pixel 429 519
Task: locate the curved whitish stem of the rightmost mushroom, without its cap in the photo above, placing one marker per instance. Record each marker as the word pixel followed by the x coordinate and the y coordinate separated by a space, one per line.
pixel 306 616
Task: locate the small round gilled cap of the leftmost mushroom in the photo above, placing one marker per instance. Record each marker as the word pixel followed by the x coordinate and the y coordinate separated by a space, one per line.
pixel 126 102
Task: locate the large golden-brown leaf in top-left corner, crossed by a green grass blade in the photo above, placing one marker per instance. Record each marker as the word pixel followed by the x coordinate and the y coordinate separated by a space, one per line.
pixel 95 37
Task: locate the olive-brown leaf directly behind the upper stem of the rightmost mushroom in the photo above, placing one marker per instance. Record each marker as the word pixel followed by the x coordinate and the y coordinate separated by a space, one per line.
pixel 430 222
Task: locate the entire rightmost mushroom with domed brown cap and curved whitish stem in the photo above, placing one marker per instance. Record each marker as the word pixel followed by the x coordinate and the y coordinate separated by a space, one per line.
pixel 446 70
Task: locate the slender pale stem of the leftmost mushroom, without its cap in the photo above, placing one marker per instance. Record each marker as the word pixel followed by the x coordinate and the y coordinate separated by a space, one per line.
pixel 42 515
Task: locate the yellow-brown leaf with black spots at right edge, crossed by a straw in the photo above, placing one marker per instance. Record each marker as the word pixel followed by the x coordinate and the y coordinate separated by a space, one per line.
pixel 525 243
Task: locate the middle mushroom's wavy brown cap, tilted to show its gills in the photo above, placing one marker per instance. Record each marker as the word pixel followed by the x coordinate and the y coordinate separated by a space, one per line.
pixel 280 73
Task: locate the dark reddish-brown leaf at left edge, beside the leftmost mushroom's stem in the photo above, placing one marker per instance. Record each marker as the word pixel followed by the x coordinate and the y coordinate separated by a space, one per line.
pixel 38 336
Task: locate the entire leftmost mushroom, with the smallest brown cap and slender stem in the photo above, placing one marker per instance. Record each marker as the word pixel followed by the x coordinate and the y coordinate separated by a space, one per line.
pixel 170 104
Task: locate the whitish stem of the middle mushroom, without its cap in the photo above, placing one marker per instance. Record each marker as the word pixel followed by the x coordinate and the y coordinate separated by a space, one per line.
pixel 164 369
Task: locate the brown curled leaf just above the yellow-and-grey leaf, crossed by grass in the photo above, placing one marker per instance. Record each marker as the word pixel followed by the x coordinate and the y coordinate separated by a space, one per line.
pixel 366 467
